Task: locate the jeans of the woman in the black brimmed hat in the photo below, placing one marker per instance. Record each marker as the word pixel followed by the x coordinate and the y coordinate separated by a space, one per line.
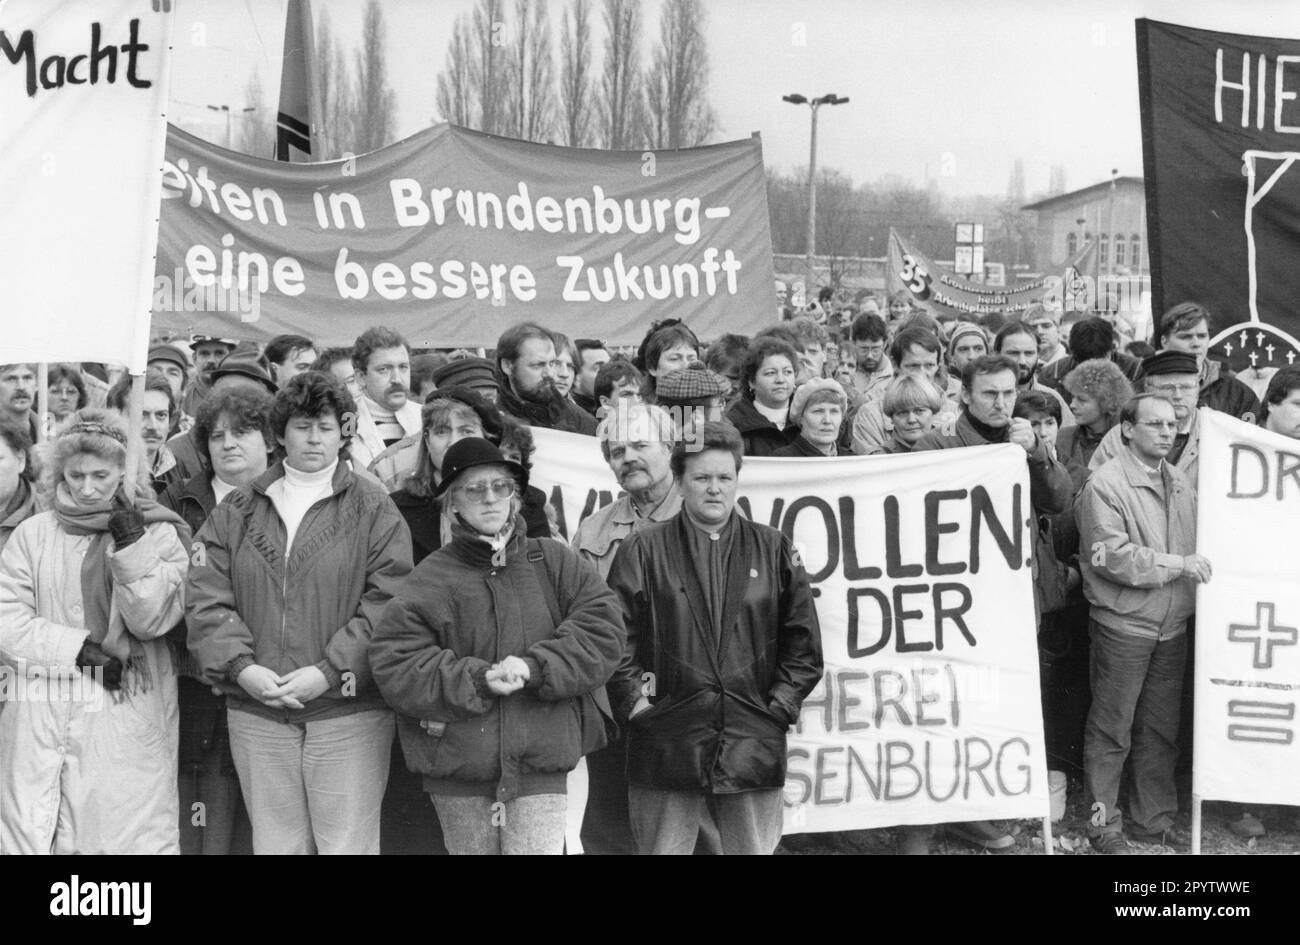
pixel 483 827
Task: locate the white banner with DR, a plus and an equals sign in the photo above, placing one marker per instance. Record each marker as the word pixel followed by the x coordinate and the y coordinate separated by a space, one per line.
pixel 1247 617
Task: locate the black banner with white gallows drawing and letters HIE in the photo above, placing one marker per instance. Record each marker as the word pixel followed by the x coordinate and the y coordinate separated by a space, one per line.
pixel 1220 129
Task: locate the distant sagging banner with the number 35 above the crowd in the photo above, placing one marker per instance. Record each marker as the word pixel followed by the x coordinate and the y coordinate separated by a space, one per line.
pixel 948 294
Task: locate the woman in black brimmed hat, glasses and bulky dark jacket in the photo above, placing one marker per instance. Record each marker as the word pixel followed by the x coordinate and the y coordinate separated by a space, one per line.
pixel 493 653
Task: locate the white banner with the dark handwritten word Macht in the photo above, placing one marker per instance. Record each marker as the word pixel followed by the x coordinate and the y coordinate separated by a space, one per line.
pixel 84 90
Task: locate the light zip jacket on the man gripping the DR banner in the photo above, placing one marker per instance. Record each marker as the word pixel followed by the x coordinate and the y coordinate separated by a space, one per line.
pixel 1132 547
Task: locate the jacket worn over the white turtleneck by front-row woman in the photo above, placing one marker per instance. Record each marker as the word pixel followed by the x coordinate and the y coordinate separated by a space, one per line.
pixel 248 604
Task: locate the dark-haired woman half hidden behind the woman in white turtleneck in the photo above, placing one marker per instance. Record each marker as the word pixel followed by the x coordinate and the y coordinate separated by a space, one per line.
pixel 233 435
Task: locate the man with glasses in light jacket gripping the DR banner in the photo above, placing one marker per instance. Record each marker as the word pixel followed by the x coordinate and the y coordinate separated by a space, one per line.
pixel 1139 563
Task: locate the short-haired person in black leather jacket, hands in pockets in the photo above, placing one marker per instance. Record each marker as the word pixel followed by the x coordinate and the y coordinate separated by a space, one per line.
pixel 723 648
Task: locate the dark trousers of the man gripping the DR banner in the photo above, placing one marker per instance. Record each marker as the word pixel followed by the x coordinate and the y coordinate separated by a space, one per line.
pixel 1137 686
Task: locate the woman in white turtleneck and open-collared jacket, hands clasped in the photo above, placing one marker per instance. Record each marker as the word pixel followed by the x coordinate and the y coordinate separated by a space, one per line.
pixel 287 582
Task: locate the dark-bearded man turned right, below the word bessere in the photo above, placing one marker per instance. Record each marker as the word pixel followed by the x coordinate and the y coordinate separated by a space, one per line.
pixel 526 361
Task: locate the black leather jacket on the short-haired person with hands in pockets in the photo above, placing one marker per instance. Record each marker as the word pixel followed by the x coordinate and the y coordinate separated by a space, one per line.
pixel 712 727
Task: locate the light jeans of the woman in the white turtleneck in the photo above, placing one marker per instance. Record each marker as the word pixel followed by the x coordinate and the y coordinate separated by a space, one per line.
pixel 314 787
